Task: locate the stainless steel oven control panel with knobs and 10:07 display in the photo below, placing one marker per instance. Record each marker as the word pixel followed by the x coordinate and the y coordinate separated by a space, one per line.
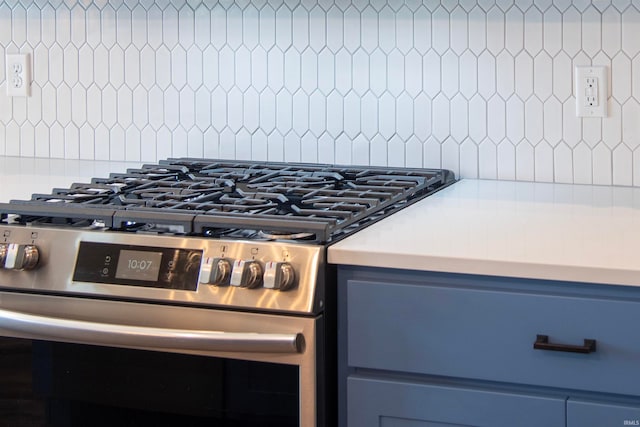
pixel 262 275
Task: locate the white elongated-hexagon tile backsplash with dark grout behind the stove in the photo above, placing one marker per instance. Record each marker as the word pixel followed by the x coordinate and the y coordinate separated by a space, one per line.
pixel 483 87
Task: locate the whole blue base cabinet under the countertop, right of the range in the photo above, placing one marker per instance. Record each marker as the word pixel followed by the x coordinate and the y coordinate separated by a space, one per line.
pixel 432 349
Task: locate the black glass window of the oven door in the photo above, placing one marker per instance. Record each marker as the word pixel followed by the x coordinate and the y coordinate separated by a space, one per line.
pixel 104 386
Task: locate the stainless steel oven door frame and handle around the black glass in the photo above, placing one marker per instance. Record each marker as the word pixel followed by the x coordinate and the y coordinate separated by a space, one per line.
pixel 94 326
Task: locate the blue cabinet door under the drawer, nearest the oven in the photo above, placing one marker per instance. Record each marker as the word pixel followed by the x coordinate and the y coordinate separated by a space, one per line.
pixel 388 403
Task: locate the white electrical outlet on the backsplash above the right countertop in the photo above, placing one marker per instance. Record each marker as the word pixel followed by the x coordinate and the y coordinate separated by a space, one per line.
pixel 591 91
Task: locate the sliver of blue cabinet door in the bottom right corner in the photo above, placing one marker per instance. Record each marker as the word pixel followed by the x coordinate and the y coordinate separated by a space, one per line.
pixel 584 413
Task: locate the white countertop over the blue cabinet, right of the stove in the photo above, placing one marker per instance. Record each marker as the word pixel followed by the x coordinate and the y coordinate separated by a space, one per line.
pixel 513 229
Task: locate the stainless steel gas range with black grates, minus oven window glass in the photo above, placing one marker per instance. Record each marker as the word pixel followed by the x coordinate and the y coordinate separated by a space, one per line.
pixel 215 258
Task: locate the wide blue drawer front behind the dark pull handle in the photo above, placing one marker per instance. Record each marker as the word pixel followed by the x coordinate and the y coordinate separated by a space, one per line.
pixel 489 335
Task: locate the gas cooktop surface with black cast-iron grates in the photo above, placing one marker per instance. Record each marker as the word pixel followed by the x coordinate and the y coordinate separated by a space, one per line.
pixel 233 199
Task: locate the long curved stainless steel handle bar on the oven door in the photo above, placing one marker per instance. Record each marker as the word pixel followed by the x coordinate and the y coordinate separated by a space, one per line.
pixel 115 335
